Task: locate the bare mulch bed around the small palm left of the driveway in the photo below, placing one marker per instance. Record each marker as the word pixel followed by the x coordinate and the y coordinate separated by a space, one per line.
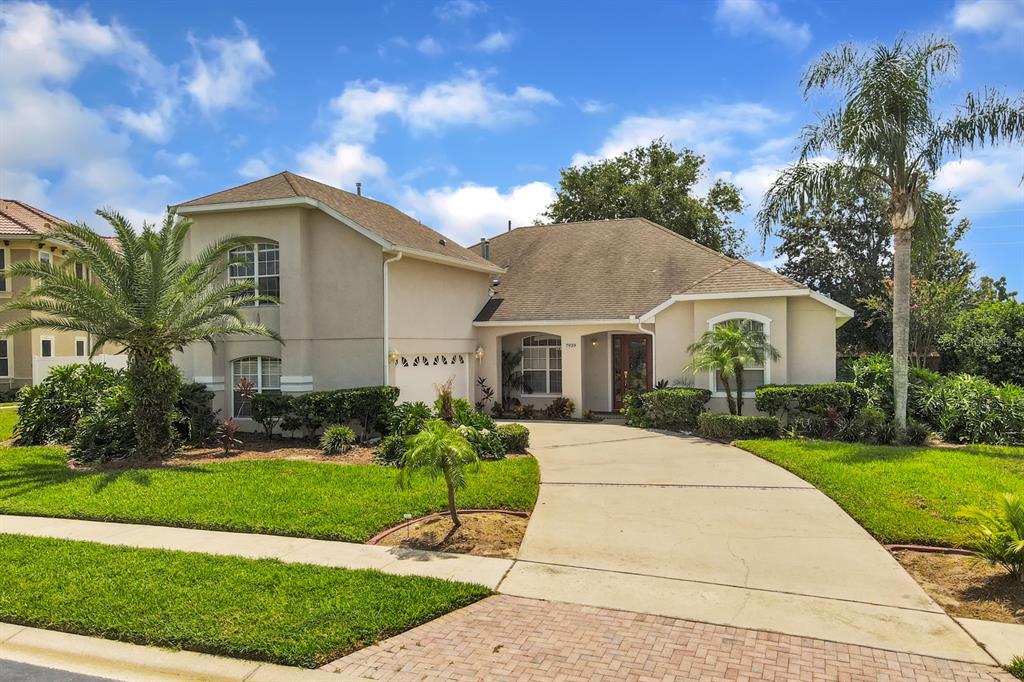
pixel 482 534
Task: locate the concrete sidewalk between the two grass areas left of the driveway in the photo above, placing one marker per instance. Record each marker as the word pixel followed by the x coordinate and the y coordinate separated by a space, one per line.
pixel 399 562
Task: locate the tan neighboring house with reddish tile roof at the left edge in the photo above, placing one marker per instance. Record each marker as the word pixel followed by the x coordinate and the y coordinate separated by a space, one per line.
pixel 27 358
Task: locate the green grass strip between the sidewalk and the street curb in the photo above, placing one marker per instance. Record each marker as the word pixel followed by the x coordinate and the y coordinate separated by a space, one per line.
pixel 262 610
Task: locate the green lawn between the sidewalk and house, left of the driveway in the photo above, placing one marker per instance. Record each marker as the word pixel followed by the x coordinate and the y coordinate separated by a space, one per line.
pixel 309 499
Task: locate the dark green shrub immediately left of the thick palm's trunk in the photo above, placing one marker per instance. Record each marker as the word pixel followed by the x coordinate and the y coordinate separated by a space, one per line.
pixel 107 433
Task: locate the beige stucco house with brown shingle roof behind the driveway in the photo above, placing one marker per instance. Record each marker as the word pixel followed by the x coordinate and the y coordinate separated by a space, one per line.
pixel 370 295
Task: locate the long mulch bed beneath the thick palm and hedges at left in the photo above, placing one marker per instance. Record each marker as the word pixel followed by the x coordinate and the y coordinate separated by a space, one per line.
pixel 254 447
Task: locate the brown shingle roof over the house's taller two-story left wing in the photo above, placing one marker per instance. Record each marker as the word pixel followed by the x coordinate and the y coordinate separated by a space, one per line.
pixel 386 221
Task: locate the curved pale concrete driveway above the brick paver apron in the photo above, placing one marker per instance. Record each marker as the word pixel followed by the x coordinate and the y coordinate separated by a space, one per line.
pixel 684 528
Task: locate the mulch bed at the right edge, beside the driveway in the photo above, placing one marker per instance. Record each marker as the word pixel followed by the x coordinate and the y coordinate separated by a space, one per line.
pixel 967 587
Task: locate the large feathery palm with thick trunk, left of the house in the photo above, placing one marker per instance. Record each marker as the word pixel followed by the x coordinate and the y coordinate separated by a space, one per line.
pixel 144 295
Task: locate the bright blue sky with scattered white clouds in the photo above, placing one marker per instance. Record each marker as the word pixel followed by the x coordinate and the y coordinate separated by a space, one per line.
pixel 459 112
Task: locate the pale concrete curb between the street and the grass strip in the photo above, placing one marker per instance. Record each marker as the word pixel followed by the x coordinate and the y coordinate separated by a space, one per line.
pixel 136 663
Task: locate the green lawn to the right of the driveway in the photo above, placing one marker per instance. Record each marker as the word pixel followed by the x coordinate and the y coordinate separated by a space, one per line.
pixel 903 495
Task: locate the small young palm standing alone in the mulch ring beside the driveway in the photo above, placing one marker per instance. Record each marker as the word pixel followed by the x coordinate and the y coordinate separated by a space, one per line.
pixel 440 450
